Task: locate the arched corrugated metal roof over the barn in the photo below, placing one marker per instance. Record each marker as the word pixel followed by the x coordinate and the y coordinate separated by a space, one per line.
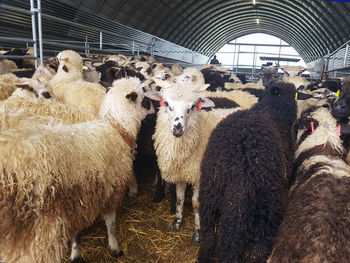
pixel 312 27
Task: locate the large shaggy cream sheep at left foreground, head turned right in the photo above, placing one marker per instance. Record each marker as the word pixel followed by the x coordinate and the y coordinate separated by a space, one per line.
pixel 56 180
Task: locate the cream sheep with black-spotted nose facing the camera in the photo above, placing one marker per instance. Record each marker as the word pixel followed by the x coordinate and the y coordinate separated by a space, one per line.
pixel 180 138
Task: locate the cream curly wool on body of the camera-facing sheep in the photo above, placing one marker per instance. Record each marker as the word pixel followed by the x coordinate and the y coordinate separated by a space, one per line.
pixel 179 158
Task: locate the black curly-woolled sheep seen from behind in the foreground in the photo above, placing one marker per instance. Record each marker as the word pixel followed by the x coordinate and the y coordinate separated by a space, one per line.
pixel 246 164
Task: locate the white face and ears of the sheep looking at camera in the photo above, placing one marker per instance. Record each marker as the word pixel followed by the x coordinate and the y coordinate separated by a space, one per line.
pixel 179 105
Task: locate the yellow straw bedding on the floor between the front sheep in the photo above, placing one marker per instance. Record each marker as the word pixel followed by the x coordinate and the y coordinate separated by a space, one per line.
pixel 143 232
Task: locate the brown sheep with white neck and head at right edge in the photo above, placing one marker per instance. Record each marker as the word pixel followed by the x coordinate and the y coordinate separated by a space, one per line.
pixel 316 222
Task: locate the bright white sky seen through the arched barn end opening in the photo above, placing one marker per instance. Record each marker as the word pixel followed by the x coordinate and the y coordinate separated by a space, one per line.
pixel 226 56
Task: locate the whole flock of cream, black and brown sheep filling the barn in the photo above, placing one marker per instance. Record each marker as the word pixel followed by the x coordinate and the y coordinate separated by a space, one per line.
pixel 267 161
